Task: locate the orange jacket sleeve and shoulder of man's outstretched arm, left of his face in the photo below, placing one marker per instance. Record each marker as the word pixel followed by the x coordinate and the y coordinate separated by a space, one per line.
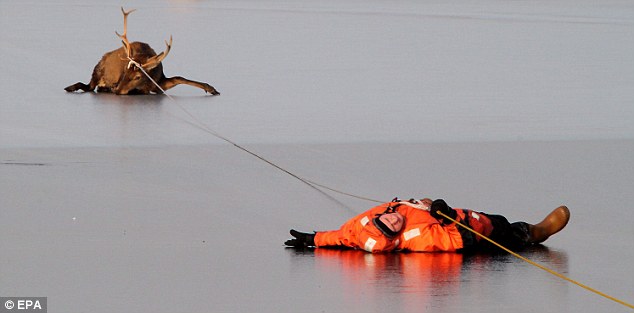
pixel 359 233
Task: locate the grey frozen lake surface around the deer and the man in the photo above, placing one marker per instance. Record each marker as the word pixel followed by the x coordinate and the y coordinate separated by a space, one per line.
pixel 118 204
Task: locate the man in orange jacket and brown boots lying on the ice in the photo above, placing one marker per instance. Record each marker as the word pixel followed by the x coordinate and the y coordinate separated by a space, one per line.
pixel 416 226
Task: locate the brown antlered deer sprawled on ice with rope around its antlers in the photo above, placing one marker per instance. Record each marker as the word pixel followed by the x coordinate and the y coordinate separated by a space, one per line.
pixel 127 70
